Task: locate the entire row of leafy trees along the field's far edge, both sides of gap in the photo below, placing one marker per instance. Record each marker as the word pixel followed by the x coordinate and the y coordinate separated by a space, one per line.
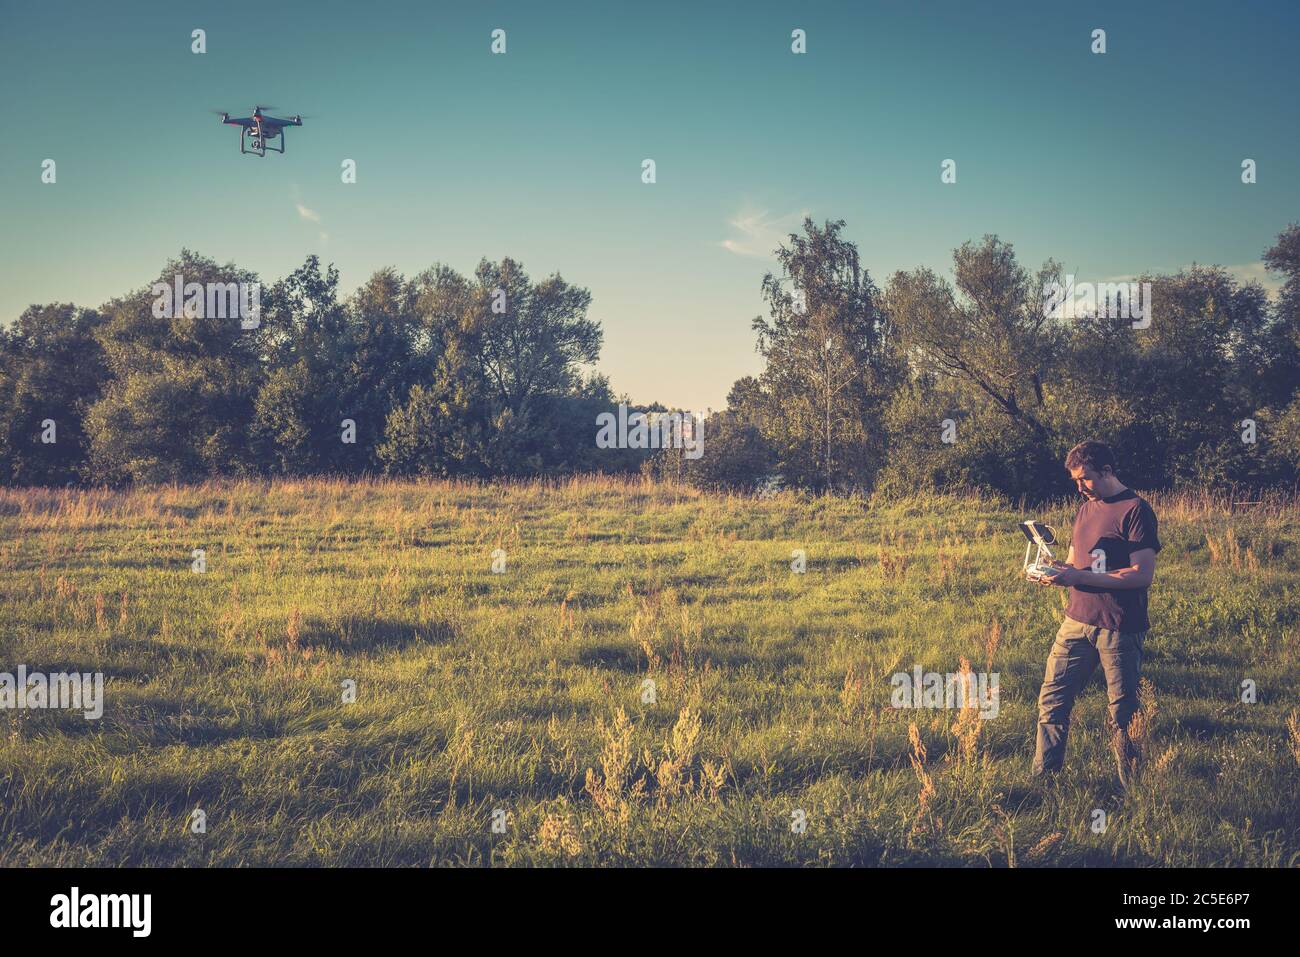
pixel 926 383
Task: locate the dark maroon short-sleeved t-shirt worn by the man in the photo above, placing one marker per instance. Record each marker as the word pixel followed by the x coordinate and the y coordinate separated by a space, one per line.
pixel 1117 526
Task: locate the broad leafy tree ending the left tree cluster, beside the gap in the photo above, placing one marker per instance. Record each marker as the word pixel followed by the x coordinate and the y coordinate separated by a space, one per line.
pixel 500 387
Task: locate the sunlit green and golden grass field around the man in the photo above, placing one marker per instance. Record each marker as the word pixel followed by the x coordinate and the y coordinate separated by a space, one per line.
pixel 519 699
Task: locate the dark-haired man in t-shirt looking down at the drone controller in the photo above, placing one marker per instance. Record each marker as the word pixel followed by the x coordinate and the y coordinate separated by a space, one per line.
pixel 1110 569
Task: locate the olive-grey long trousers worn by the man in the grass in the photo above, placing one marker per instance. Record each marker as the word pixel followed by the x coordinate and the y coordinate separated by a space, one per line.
pixel 1076 653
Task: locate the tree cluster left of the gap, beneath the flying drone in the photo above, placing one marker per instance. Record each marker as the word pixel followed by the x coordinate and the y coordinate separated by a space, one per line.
pixel 440 375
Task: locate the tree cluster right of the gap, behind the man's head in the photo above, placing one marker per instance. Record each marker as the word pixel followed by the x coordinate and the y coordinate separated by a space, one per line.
pixel 931 383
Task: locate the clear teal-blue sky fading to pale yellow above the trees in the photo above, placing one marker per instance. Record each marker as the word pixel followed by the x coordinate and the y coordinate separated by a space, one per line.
pixel 1112 164
